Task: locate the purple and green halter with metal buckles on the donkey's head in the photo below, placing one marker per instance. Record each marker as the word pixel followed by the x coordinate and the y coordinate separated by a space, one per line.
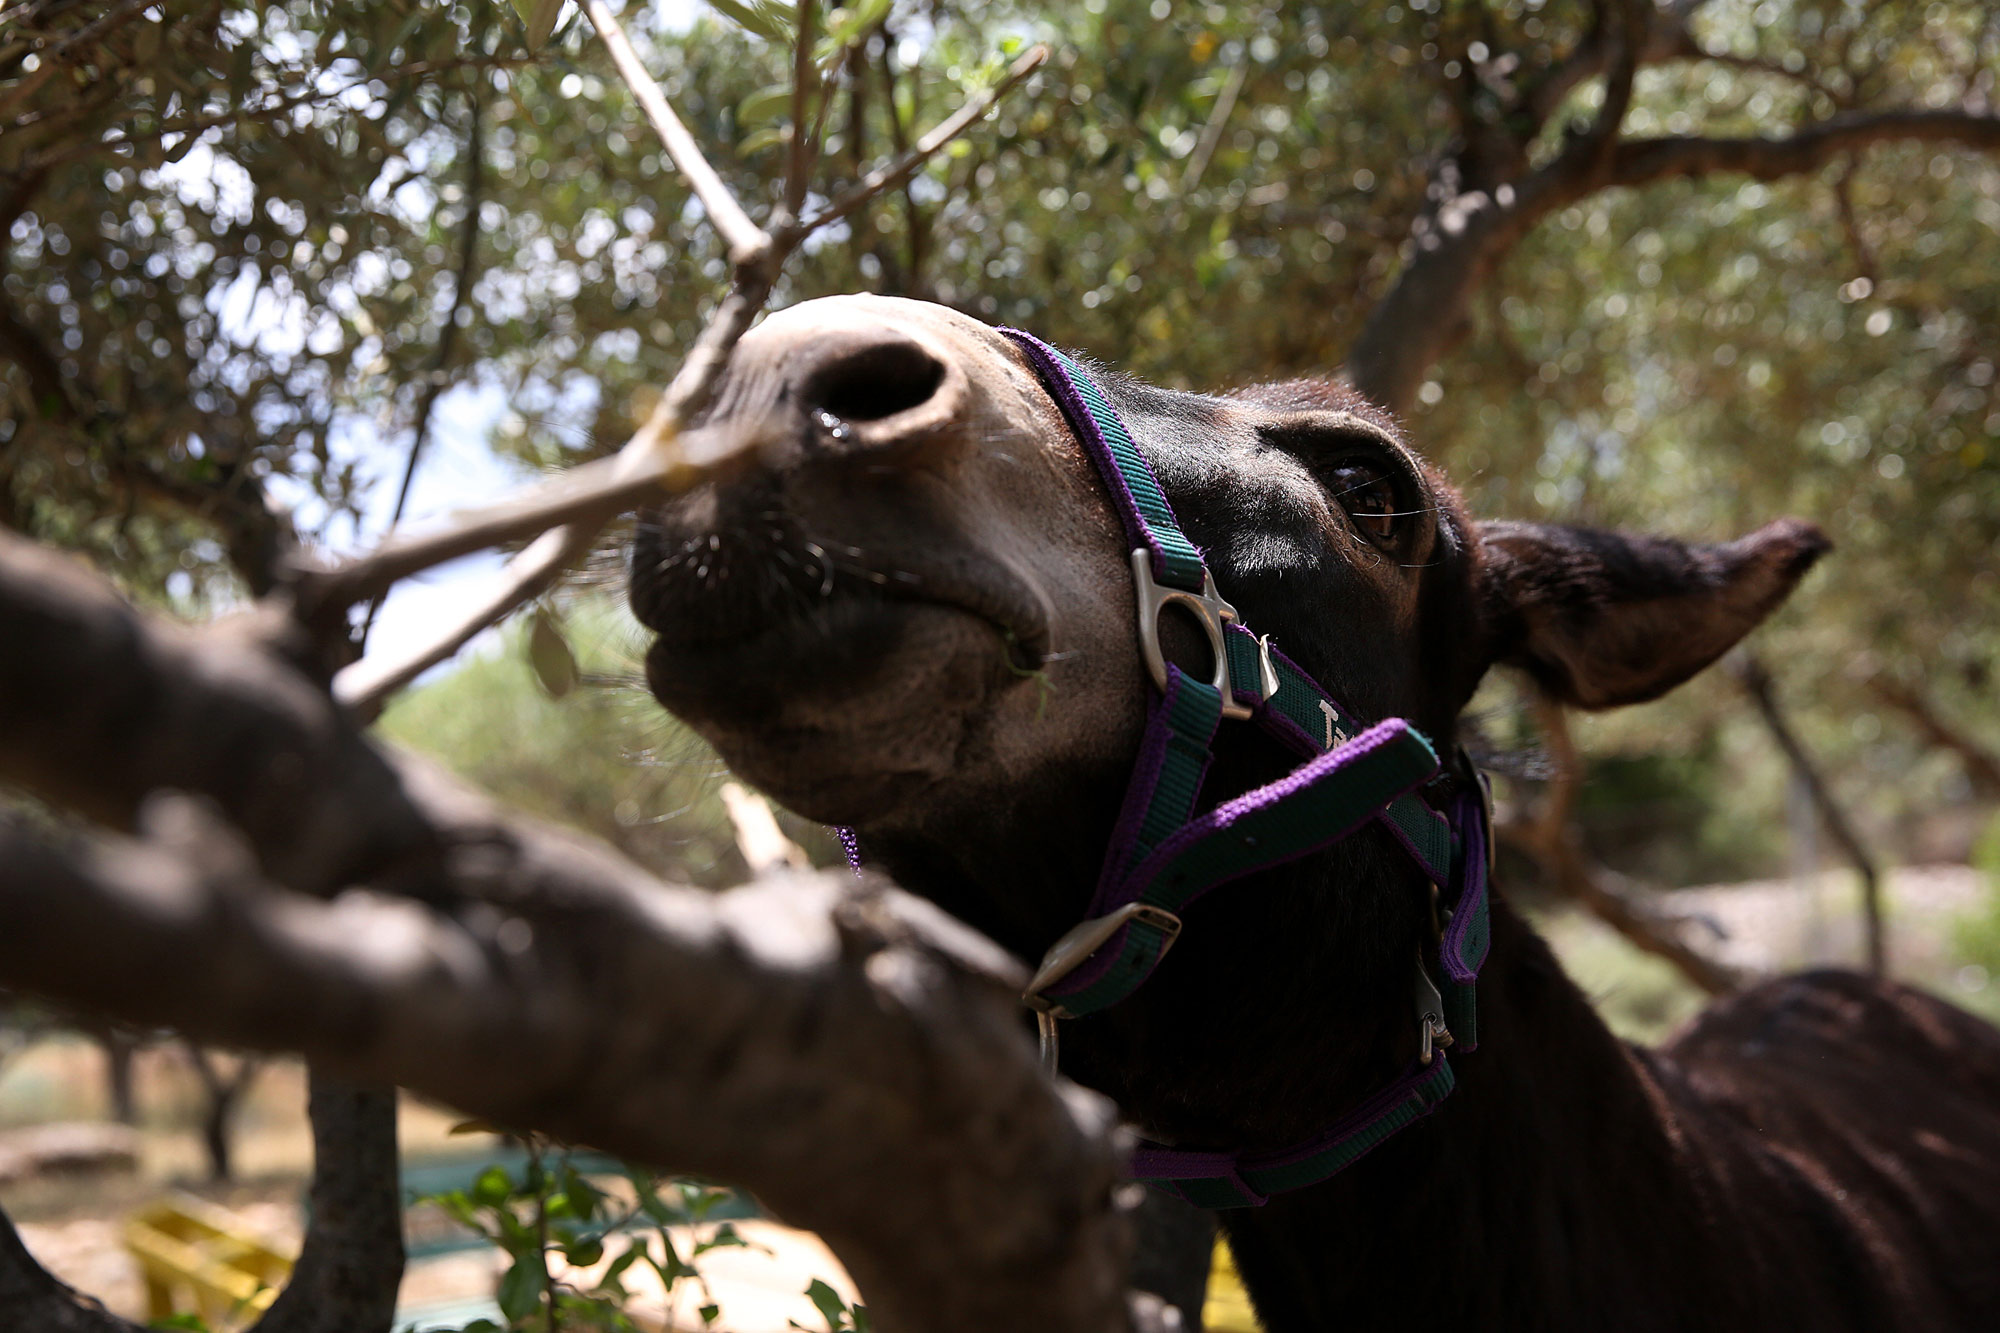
pixel 1165 854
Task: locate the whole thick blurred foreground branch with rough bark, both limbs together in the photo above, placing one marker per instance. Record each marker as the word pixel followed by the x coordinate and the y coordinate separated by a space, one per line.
pixel 843 1050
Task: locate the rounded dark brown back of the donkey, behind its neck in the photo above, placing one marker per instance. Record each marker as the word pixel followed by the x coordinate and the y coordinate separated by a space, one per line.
pixel 1833 1112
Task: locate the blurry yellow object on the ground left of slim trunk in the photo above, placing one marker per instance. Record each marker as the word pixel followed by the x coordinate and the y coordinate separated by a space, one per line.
pixel 203 1260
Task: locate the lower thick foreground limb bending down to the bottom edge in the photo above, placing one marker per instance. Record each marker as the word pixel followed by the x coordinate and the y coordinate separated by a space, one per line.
pixel 847 1052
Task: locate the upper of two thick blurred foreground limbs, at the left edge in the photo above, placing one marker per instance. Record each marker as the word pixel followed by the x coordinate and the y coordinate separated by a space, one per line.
pixel 101 708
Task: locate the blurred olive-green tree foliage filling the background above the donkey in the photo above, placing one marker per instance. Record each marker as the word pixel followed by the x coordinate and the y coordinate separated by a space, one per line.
pixel 249 245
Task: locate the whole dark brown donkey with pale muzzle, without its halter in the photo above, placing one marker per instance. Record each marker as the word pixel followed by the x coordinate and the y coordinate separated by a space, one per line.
pixel 915 617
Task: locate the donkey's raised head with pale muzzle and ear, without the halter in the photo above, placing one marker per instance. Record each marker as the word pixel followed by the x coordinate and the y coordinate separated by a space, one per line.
pixel 917 617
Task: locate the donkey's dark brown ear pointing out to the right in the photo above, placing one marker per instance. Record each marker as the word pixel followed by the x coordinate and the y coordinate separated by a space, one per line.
pixel 1605 619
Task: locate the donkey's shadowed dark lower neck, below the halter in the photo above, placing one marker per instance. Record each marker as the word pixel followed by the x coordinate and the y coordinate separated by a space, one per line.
pixel 1551 1190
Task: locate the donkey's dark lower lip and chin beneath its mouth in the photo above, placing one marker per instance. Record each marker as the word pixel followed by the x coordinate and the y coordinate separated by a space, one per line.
pixel 849 716
